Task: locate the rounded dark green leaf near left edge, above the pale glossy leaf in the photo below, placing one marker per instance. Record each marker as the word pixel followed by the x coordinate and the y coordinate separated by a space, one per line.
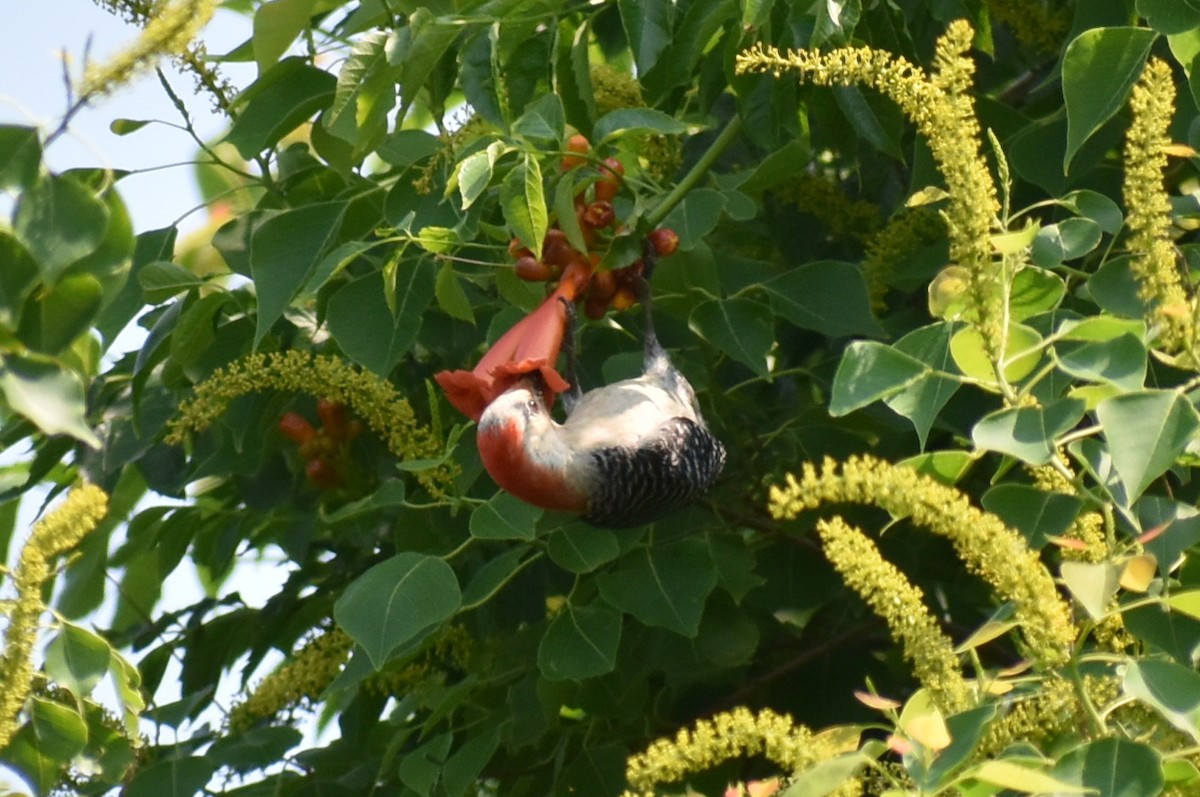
pixel 61 221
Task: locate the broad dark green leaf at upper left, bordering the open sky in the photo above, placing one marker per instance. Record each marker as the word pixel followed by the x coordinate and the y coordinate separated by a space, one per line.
pixel 278 103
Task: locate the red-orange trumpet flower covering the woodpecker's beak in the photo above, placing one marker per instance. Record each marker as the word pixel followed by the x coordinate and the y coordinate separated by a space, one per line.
pixel 531 345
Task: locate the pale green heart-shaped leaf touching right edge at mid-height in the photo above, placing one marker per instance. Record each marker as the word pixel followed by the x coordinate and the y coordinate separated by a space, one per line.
pixel 1147 432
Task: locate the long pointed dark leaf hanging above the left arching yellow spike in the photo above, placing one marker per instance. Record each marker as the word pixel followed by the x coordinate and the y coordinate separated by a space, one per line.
pixel 284 254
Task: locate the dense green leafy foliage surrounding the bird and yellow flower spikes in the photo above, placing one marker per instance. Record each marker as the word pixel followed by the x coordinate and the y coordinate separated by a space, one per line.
pixel 373 178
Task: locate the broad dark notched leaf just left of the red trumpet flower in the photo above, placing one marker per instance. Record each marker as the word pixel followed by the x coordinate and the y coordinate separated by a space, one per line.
pixel 365 328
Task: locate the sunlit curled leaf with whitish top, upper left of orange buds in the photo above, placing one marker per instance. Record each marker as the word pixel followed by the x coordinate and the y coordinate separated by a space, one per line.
pixel 367 93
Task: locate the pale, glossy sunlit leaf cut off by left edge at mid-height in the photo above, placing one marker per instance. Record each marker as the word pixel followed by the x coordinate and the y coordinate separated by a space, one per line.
pixel 50 397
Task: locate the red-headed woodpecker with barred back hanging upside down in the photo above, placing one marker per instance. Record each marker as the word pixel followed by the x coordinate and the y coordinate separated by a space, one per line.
pixel 627 454
